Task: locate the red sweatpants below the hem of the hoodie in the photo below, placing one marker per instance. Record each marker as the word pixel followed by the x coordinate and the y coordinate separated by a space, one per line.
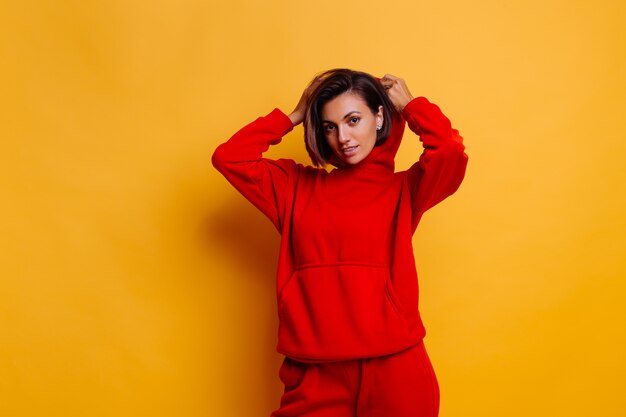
pixel 398 385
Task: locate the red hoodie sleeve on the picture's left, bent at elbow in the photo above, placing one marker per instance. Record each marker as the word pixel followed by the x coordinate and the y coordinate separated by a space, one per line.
pixel 264 182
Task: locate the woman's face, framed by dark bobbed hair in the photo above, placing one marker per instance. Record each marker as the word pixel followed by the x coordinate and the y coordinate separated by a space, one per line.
pixel 350 127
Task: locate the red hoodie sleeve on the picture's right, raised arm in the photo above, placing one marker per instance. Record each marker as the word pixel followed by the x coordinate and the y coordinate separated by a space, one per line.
pixel 441 166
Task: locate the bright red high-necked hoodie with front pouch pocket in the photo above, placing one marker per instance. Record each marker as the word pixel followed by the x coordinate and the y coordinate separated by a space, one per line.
pixel 346 282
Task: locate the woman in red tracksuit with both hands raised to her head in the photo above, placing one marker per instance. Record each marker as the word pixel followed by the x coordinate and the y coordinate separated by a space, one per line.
pixel 347 293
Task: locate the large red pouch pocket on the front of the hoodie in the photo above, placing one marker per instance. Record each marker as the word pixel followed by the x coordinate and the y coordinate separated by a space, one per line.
pixel 340 311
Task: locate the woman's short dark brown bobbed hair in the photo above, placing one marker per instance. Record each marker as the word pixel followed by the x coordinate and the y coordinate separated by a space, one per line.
pixel 333 83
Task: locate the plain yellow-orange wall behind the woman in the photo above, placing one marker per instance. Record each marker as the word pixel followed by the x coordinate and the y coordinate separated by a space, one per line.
pixel 136 282
